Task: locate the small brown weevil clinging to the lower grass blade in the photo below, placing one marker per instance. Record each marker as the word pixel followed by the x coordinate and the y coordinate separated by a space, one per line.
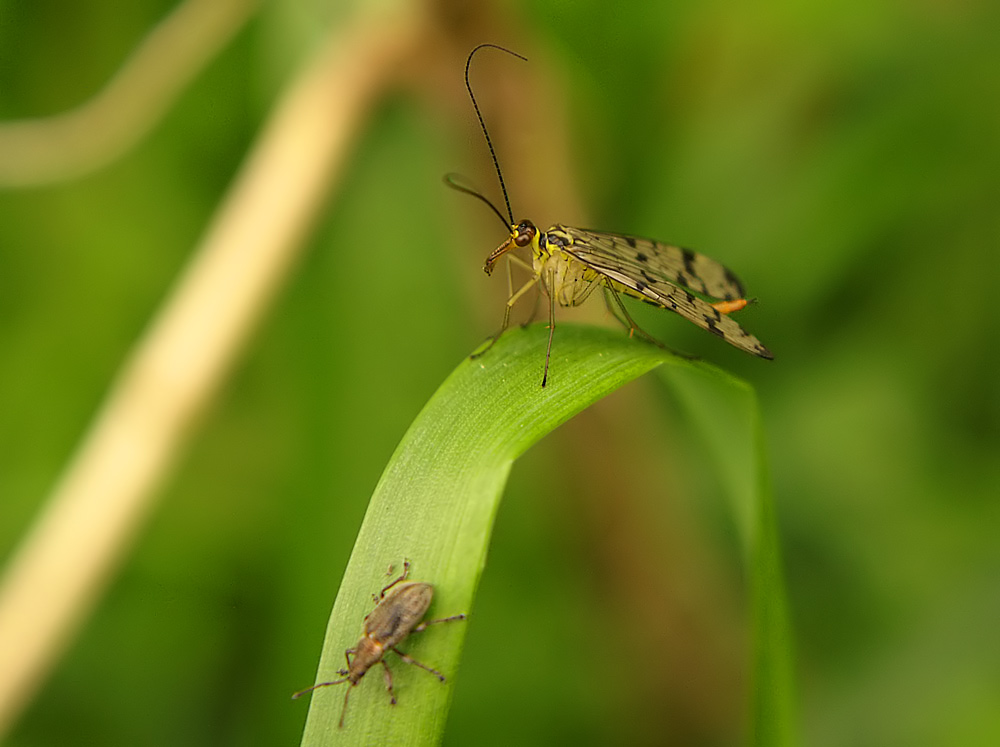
pixel 395 616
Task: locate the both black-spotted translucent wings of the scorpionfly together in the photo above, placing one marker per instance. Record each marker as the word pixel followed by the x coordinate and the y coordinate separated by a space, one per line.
pixel 653 271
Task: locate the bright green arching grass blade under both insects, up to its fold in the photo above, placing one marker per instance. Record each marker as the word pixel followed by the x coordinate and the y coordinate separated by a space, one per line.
pixel 435 505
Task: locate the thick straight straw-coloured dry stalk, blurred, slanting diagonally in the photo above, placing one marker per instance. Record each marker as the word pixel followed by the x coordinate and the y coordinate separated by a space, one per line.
pixel 109 486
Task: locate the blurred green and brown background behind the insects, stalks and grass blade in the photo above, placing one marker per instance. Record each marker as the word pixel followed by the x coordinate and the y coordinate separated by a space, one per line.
pixel 842 157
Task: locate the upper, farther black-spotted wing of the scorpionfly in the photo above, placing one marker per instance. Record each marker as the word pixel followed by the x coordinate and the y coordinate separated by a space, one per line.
pixel 660 262
